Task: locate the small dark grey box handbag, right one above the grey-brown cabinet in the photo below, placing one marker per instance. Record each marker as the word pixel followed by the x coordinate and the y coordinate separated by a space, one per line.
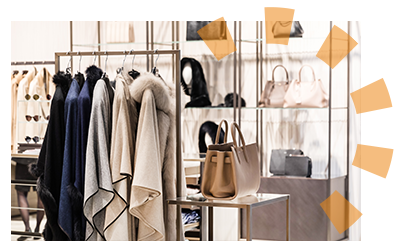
pixel 298 165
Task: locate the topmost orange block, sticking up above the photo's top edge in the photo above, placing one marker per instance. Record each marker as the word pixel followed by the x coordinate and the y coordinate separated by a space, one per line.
pixel 278 20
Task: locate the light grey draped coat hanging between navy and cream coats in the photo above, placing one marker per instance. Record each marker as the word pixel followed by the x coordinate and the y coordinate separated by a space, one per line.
pixel 99 190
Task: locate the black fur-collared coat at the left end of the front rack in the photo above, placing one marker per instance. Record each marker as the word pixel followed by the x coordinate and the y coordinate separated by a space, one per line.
pixel 49 166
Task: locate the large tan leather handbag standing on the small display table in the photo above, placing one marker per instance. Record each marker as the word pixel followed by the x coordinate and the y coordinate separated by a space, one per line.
pixel 230 171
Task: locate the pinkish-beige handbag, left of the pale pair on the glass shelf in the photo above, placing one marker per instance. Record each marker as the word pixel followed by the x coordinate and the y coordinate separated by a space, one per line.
pixel 274 92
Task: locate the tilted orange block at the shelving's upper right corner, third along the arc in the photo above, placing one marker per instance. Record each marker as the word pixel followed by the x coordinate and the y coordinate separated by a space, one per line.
pixel 342 44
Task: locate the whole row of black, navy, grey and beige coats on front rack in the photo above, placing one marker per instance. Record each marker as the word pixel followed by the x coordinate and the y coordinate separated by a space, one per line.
pixel 112 186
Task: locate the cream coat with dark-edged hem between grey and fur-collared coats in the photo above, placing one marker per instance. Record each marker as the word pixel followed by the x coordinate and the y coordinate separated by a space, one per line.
pixel 119 223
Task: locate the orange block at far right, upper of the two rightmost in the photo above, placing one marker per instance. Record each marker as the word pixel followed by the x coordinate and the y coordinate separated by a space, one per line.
pixel 372 97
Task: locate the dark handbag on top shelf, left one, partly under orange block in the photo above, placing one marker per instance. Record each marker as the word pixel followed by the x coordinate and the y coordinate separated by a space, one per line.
pixel 215 32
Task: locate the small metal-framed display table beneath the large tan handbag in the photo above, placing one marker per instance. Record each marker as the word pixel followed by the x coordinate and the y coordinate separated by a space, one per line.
pixel 247 203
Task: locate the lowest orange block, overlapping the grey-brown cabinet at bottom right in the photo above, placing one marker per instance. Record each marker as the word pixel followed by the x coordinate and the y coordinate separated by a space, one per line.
pixel 340 211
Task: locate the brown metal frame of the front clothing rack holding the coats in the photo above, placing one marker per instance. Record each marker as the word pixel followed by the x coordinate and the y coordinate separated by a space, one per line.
pixel 176 54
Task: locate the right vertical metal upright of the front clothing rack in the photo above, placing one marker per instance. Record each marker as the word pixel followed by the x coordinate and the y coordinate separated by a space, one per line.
pixel 178 142
